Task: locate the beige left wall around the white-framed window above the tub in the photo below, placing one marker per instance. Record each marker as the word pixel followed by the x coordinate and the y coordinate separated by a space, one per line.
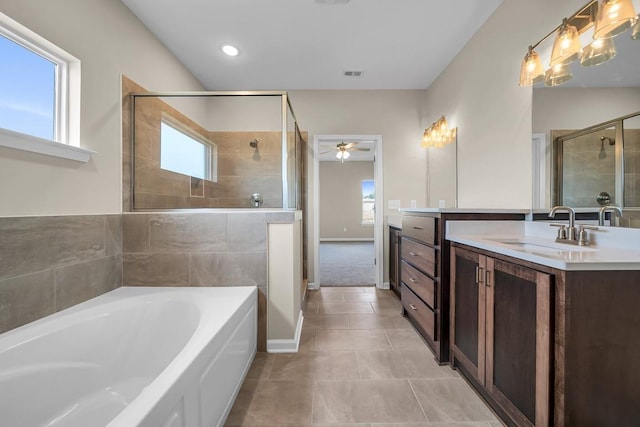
pixel 109 41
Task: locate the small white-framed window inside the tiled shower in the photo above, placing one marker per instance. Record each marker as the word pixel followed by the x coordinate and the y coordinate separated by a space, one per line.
pixel 184 151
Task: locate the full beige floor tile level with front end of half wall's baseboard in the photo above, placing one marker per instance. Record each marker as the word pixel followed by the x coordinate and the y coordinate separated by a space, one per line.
pixel 334 340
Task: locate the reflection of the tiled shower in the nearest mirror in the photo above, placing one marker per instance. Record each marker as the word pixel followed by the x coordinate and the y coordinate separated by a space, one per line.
pixel 598 165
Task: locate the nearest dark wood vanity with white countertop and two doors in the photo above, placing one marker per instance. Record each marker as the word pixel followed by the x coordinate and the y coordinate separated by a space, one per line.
pixel 547 332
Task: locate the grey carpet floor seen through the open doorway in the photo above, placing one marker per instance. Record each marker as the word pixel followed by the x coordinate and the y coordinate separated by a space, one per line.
pixel 347 264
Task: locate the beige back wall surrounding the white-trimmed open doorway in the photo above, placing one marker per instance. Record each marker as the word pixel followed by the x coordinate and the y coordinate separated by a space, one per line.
pixel 394 114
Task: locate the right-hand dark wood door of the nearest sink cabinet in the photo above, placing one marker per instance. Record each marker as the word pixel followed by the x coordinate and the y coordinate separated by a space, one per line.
pixel 518 341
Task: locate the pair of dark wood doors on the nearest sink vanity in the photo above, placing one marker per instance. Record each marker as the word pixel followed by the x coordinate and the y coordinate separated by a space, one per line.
pixel 501 320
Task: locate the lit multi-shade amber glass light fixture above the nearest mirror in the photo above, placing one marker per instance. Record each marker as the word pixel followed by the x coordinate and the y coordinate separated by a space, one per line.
pixel 604 18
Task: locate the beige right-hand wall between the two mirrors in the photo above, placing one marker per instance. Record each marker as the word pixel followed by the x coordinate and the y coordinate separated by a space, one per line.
pixel 479 93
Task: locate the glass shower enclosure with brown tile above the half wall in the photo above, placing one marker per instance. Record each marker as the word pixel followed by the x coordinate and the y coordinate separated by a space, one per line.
pixel 214 150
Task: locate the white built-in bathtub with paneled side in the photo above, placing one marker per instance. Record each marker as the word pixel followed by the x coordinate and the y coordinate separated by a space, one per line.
pixel 136 356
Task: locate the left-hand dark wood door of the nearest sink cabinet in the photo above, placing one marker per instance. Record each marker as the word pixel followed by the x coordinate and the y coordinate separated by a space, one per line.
pixel 468 311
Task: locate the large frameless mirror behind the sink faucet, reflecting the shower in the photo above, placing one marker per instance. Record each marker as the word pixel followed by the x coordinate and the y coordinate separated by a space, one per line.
pixel 595 95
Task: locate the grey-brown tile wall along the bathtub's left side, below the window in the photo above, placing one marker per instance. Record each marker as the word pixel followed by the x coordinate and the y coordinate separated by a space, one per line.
pixel 51 263
